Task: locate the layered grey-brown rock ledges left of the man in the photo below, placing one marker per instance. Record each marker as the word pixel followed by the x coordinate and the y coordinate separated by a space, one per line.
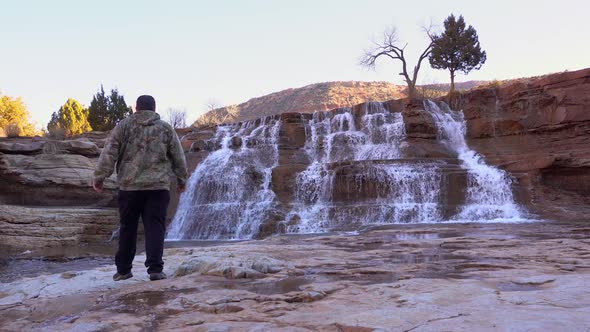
pixel 46 196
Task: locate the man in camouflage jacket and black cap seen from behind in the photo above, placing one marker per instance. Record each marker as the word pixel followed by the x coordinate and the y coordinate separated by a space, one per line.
pixel 146 152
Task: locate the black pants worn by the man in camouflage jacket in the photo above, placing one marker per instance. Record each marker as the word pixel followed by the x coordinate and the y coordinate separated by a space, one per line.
pixel 151 205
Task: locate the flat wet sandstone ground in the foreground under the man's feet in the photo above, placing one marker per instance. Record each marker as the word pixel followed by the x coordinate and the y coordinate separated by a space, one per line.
pixel 446 277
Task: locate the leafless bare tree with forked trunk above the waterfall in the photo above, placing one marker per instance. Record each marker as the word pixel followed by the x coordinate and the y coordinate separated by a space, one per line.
pixel 391 47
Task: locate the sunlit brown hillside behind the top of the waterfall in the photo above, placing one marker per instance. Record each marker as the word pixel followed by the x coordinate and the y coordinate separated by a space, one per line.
pixel 310 98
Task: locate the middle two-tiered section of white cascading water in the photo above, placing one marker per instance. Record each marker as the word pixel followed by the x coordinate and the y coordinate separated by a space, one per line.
pixel 364 153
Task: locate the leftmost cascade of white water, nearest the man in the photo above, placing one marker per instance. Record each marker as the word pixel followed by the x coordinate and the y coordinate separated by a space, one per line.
pixel 228 195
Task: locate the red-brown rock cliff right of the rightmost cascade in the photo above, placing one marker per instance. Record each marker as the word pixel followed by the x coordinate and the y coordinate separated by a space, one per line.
pixel 540 129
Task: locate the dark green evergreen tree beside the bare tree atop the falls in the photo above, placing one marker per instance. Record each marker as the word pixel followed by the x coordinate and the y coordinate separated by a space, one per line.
pixel 456 49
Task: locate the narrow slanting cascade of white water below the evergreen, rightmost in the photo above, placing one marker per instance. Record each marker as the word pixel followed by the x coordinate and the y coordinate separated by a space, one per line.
pixel 489 189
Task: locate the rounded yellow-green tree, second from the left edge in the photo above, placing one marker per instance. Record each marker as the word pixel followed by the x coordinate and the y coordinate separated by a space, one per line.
pixel 71 119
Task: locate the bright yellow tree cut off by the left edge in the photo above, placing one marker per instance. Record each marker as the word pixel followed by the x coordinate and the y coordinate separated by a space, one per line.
pixel 14 118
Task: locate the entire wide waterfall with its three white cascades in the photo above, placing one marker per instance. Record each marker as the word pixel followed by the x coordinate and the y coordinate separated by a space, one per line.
pixel 358 175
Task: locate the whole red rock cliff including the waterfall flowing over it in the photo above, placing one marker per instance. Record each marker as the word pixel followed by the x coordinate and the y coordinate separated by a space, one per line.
pixel 396 162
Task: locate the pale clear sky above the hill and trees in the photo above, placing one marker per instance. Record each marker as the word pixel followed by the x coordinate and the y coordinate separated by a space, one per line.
pixel 186 53
